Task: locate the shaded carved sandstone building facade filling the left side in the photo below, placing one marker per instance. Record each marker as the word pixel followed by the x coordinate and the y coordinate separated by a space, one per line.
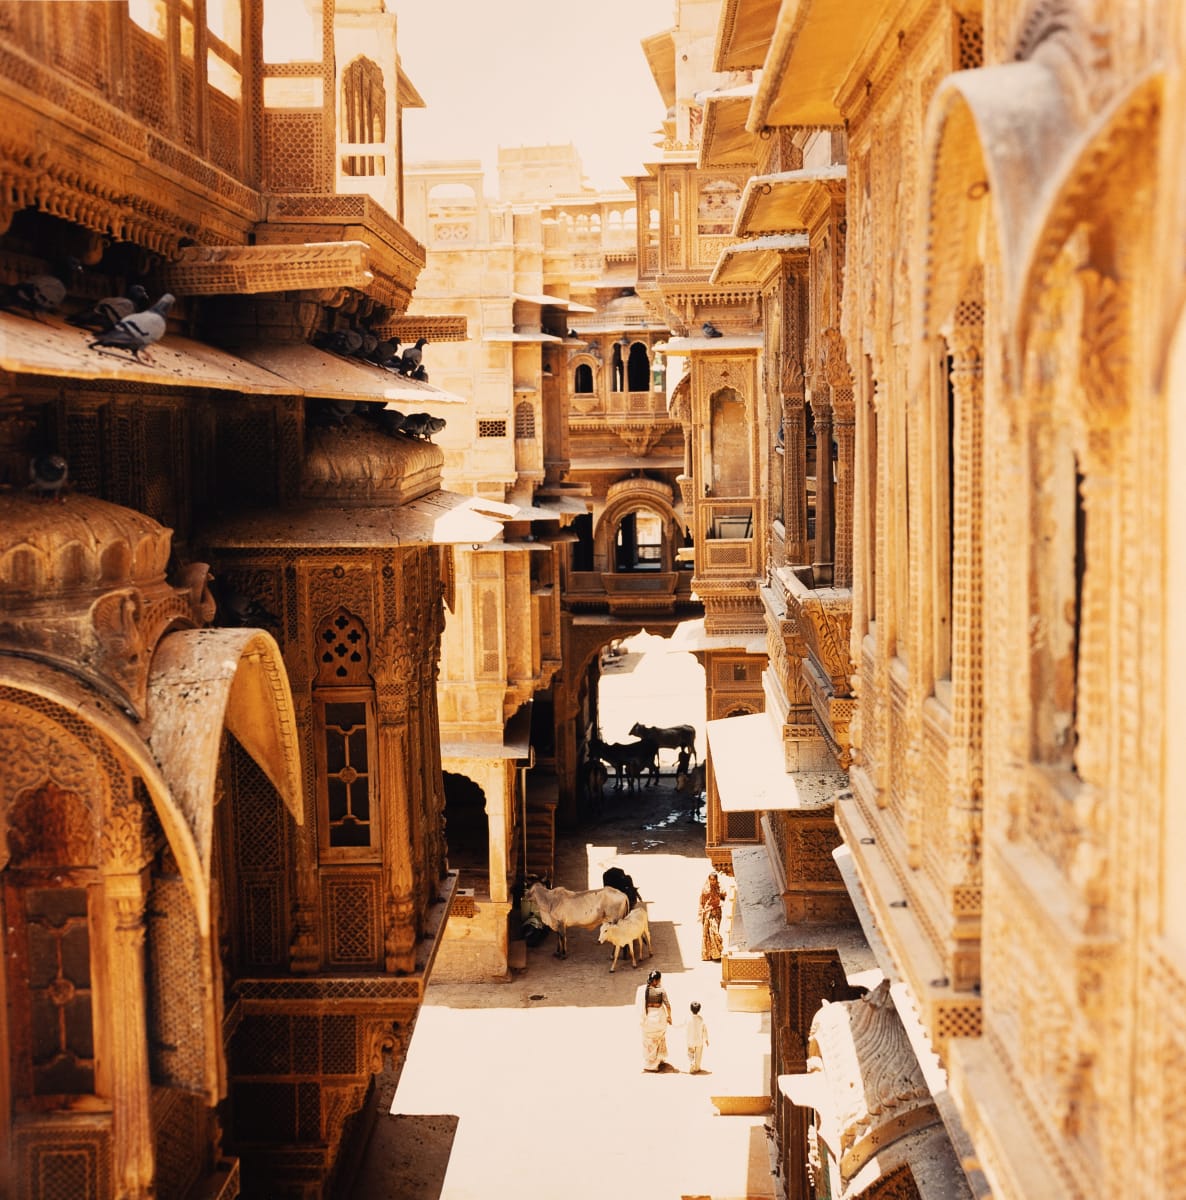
pixel 224 856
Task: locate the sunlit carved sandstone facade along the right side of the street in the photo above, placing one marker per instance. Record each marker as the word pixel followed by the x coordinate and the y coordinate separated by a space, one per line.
pixel 986 328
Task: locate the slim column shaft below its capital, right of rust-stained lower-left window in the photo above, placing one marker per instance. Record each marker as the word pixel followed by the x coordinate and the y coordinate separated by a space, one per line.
pixel 124 898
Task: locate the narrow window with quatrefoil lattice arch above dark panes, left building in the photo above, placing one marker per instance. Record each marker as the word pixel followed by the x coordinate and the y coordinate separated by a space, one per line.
pixel 344 710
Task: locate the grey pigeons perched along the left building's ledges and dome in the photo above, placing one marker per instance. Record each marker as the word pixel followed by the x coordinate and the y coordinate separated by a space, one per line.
pixel 134 325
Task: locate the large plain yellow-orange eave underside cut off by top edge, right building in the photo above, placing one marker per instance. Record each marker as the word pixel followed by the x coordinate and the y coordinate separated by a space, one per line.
pixel 813 50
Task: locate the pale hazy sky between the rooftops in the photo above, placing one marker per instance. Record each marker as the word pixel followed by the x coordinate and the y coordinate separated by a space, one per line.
pixel 532 73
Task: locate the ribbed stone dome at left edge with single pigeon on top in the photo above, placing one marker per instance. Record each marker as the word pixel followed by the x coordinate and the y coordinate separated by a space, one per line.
pixel 76 548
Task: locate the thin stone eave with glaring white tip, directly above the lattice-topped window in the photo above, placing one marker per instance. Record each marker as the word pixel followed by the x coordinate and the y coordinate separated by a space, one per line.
pixel 440 518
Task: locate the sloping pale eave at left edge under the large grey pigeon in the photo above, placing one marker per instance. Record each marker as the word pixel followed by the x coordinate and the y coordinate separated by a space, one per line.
pixel 51 347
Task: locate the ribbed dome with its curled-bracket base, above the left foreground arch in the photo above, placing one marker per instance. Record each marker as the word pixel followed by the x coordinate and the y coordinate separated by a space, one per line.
pixel 83 584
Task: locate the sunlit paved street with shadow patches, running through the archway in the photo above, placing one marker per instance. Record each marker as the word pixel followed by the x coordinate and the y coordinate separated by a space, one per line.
pixel 535 1089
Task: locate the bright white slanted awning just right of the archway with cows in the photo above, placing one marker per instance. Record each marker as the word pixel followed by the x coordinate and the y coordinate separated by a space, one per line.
pixel 751 770
